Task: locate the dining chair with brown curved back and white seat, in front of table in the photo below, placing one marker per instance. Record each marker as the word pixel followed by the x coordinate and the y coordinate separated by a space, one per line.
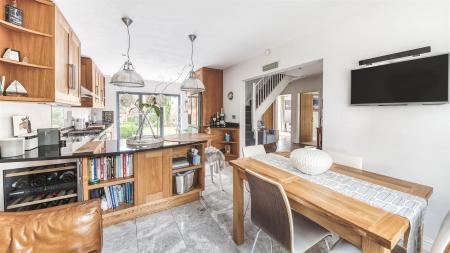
pixel 271 213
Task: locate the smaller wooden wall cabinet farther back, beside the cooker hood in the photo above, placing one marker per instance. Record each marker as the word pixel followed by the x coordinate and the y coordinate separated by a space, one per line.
pixel 94 81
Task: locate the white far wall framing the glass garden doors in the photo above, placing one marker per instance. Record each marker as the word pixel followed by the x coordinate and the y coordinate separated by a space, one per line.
pixel 150 87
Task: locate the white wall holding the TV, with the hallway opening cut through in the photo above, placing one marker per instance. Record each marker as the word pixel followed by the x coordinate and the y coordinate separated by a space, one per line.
pixel 408 142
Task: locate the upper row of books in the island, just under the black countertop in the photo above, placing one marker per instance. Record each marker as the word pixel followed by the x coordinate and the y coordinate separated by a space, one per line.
pixel 110 167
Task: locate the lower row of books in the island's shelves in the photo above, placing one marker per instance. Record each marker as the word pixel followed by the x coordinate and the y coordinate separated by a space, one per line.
pixel 115 195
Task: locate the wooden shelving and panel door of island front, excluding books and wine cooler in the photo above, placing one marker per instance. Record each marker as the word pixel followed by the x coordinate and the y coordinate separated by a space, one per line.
pixel 152 183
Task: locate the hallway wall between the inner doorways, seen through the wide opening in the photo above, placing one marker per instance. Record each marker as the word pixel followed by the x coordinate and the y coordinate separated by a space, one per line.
pixel 307 84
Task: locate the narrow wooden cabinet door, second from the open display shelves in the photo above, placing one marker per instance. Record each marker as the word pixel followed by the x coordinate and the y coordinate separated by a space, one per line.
pixel 74 66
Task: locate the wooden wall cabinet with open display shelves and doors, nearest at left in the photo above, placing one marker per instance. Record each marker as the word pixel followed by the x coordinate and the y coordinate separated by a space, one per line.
pixel 52 72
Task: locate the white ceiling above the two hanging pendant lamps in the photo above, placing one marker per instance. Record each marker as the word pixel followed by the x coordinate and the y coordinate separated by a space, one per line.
pixel 229 31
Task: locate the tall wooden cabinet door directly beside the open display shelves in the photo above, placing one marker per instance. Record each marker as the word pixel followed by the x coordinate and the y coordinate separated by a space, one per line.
pixel 62 36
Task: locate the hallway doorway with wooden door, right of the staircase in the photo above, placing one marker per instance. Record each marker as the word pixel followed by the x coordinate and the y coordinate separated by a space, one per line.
pixel 310 119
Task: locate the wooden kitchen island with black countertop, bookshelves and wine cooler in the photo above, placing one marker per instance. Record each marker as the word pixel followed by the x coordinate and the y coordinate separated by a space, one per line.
pixel 135 181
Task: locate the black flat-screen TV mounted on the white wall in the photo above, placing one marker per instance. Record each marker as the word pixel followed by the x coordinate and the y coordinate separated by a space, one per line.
pixel 423 80
